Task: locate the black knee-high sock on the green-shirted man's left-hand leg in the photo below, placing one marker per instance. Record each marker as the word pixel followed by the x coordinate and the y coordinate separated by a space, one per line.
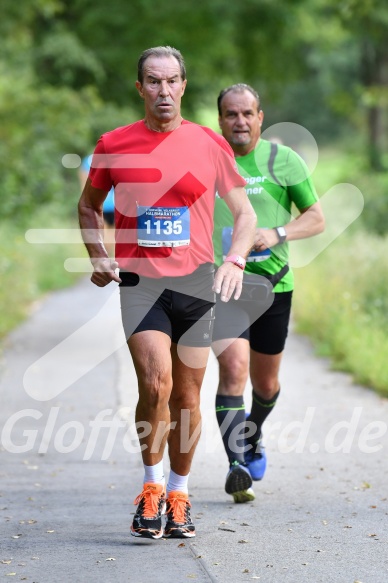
pixel 232 410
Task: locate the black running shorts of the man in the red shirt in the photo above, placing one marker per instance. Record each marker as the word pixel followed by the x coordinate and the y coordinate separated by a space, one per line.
pixel 181 307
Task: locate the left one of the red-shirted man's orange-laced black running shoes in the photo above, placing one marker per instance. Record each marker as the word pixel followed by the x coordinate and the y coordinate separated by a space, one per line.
pixel 147 521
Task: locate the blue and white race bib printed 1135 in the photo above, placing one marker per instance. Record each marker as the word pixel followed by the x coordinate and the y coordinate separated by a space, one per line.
pixel 163 226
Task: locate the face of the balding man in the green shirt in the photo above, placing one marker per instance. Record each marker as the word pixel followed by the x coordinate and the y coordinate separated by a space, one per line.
pixel 240 121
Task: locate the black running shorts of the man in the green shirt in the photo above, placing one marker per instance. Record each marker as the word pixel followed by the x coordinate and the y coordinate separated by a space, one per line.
pixel 265 327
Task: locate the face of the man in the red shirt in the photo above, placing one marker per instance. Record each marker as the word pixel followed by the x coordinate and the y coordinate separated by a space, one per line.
pixel 162 89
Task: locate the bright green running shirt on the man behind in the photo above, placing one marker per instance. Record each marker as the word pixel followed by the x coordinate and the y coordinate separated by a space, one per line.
pixel 276 178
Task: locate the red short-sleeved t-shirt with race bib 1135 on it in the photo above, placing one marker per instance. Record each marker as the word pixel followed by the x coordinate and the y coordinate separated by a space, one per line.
pixel 165 185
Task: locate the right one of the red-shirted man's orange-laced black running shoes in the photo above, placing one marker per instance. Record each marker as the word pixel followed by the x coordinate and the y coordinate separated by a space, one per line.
pixel 179 523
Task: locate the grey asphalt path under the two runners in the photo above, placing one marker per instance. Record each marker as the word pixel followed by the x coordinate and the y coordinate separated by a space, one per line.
pixel 70 467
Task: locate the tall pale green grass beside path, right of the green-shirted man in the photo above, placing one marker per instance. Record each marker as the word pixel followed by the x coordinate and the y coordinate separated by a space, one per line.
pixel 341 303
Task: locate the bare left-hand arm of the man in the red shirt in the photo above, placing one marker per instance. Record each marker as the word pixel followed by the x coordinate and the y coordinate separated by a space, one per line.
pixel 92 228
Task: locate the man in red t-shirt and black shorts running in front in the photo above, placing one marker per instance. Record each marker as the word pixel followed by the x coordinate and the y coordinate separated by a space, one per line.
pixel 165 172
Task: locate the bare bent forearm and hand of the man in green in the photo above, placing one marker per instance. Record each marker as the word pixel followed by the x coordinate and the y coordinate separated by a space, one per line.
pixel 310 222
